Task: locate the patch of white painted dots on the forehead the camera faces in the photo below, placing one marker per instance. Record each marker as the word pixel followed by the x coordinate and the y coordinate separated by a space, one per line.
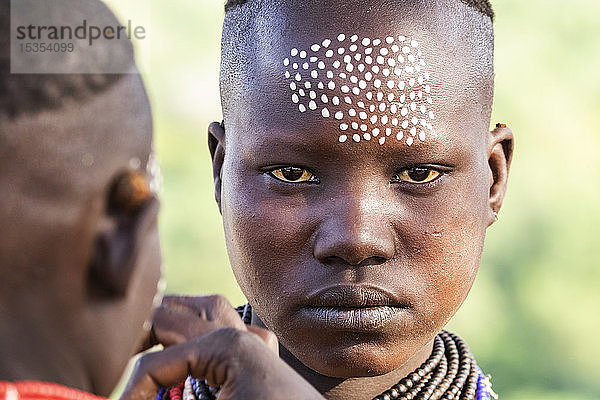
pixel 383 90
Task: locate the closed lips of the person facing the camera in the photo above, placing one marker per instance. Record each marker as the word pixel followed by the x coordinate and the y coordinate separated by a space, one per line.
pixel 353 308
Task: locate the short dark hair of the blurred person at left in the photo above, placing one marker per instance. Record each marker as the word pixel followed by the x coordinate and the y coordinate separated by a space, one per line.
pixel 34 93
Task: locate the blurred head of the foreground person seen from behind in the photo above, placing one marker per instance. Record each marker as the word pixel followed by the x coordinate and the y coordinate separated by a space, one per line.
pixel 79 253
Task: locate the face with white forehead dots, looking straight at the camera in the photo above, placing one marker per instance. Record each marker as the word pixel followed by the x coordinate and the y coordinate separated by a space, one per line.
pixel 356 250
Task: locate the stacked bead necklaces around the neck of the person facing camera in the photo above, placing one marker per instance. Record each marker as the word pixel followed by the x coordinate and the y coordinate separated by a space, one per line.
pixel 450 373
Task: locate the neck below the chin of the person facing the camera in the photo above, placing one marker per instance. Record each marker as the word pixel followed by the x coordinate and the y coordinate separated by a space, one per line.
pixel 361 388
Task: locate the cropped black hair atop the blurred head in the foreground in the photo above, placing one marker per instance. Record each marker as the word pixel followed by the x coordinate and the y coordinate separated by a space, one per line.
pixel 32 93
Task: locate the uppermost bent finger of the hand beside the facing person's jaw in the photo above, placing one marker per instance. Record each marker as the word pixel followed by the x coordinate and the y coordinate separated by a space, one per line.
pixel 211 308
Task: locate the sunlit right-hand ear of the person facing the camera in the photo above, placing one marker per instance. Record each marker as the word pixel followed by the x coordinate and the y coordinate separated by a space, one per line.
pixel 500 151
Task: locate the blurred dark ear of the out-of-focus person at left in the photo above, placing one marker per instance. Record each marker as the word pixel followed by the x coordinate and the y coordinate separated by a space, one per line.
pixel 116 249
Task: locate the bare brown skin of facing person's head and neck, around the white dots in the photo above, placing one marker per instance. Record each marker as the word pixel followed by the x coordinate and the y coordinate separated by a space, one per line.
pixel 355 230
